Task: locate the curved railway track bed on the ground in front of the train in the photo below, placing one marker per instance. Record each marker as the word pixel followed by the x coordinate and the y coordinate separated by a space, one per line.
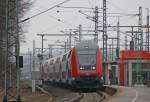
pixel 68 95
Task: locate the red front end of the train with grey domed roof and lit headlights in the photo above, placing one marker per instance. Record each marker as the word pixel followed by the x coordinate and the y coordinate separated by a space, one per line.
pixel 87 65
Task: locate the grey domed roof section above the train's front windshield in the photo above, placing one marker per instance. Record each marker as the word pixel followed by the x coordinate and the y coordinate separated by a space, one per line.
pixel 87 44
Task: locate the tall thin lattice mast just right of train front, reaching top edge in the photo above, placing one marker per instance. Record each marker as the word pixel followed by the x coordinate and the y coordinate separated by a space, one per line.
pixel 104 32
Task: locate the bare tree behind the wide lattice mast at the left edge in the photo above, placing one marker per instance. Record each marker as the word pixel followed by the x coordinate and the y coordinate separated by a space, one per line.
pixel 23 6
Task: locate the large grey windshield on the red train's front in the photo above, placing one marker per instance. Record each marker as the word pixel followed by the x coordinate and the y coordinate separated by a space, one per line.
pixel 87 57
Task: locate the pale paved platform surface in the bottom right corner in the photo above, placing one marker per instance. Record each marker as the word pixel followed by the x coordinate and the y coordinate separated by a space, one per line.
pixel 131 94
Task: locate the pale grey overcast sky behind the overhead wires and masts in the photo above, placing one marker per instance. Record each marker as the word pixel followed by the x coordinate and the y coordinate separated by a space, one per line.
pixel 71 18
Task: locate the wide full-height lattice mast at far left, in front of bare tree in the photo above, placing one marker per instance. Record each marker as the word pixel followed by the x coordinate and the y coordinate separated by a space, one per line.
pixel 12 85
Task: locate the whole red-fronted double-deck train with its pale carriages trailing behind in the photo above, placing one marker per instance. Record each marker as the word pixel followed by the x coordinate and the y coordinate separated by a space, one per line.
pixel 81 67
